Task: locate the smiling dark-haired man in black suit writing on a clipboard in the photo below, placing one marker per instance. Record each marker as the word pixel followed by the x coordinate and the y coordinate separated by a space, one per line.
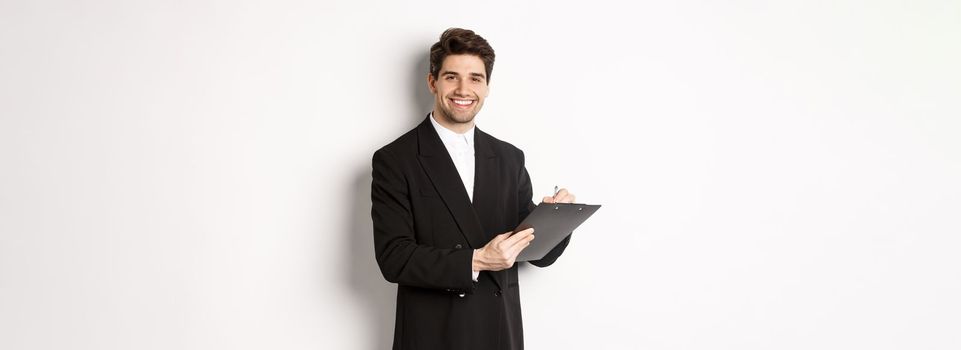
pixel 445 198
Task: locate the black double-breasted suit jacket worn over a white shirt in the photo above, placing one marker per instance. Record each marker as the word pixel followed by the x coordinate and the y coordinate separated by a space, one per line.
pixel 425 231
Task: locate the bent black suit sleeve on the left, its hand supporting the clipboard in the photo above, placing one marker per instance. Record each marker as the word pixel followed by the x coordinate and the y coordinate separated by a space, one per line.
pixel 400 258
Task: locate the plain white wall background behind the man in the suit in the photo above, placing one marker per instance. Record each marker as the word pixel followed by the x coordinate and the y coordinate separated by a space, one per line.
pixel 195 174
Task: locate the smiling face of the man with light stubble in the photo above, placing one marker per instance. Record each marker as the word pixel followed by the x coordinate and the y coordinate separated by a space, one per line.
pixel 459 89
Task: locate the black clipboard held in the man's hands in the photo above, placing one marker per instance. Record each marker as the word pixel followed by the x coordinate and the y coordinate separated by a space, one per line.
pixel 552 222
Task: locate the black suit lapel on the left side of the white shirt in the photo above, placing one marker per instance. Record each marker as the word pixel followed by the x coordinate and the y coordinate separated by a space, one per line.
pixel 440 169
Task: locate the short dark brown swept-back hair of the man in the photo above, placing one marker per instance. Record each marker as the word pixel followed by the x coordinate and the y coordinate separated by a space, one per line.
pixel 457 41
